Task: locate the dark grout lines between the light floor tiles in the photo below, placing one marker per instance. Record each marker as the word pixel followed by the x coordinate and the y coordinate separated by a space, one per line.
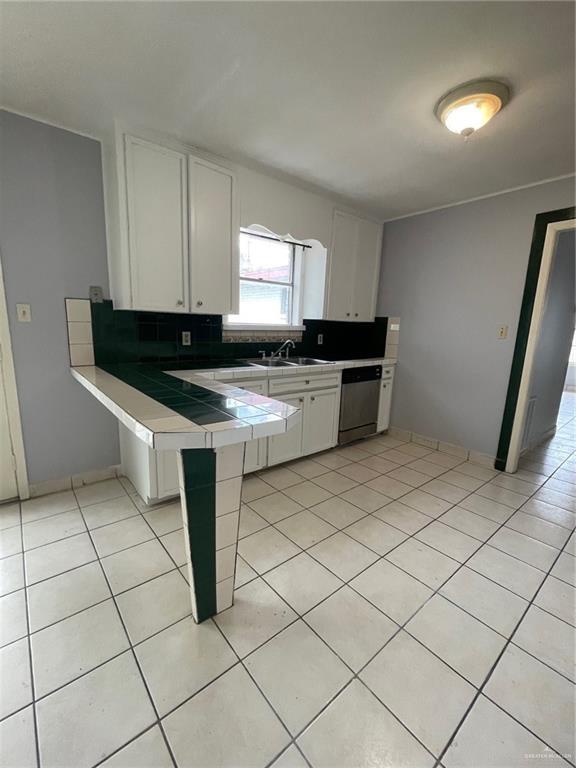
pixel 345 582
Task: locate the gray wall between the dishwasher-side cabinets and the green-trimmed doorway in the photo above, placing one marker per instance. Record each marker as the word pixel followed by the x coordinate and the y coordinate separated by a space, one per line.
pixel 453 276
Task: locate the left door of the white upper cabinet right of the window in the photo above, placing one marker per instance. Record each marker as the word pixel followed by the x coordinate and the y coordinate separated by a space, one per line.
pixel 342 266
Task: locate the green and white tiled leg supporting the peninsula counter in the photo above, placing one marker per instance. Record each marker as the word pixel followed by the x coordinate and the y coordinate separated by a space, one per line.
pixel 210 491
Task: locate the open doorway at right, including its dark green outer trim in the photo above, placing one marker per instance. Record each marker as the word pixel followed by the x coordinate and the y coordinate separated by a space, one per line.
pixel 543 343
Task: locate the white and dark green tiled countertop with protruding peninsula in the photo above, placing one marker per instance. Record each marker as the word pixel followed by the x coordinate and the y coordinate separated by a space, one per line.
pixel 191 408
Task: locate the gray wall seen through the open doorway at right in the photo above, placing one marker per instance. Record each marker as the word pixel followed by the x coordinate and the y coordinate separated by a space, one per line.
pixel 553 348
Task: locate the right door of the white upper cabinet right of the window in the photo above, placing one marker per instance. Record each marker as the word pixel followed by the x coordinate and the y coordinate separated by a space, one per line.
pixel 367 272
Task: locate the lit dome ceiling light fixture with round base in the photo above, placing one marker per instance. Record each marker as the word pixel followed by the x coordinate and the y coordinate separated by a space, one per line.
pixel 470 106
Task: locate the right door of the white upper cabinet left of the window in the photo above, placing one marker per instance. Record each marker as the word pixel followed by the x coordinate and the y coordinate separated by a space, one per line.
pixel 214 235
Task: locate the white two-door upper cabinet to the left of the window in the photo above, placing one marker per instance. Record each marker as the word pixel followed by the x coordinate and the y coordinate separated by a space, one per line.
pixel 181 228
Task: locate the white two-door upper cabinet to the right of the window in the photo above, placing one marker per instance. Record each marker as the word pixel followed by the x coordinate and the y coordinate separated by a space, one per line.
pixel 354 268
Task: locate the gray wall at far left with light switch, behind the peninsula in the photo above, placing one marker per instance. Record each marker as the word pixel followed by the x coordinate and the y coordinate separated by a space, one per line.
pixel 52 245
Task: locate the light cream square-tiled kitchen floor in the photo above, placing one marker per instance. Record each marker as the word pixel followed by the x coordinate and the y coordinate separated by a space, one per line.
pixel 395 606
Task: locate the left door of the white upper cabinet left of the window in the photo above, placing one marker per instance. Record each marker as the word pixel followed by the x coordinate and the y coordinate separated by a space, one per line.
pixel 157 226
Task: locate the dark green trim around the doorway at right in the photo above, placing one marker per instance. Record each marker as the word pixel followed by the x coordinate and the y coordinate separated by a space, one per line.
pixel 532 275
